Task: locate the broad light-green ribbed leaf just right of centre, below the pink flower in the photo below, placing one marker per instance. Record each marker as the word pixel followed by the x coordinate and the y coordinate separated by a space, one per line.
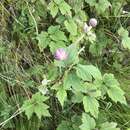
pixel 86 72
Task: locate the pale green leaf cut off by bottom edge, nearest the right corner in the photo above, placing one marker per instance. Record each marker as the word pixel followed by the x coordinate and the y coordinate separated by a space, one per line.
pixel 109 126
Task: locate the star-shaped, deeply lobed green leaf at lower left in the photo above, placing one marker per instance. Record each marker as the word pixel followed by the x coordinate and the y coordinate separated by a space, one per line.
pixel 36 105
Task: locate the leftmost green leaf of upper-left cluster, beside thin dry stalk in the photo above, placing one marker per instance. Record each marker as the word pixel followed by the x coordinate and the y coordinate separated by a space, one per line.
pixel 43 40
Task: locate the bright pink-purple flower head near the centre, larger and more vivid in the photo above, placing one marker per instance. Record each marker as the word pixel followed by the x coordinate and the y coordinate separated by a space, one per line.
pixel 60 54
